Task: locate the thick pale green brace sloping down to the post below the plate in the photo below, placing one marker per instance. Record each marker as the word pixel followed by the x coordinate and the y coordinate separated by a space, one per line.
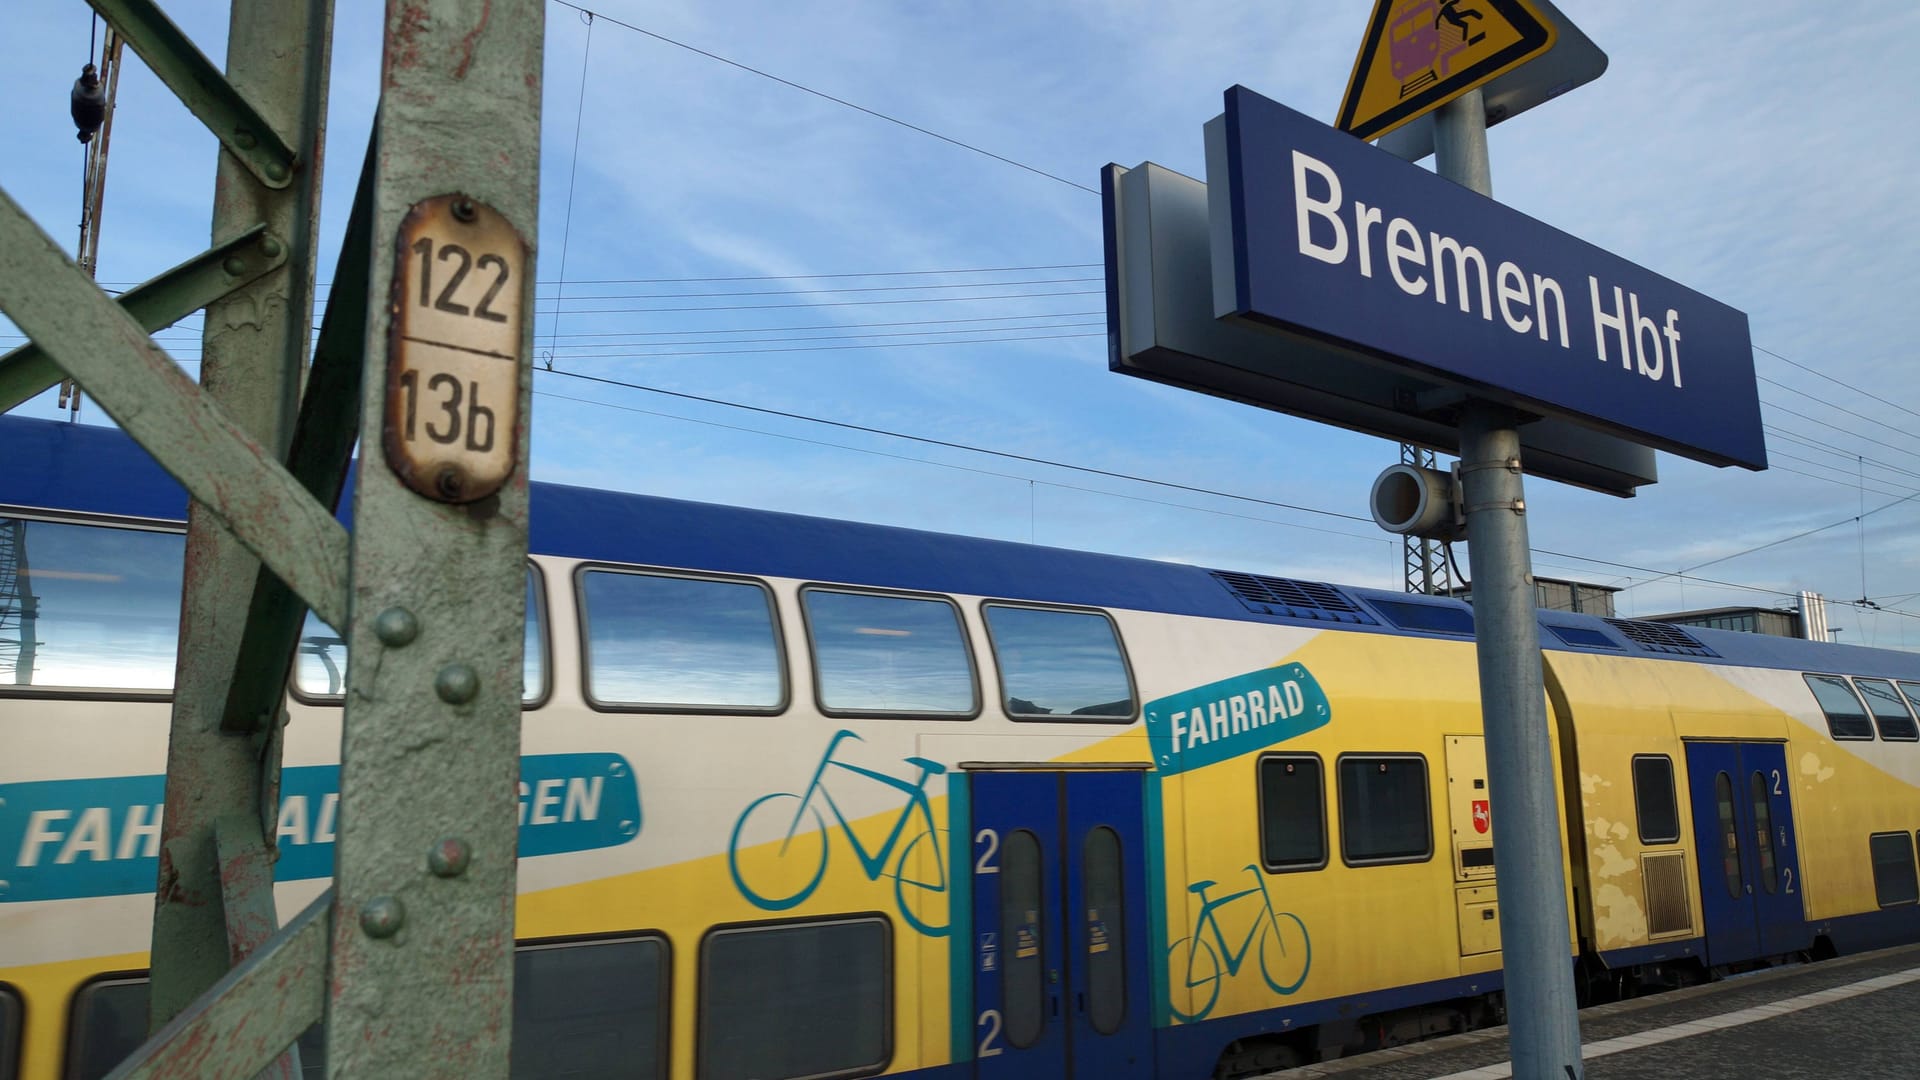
pixel 147 393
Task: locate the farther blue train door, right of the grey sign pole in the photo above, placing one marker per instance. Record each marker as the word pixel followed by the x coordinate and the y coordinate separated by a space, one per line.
pixel 1748 856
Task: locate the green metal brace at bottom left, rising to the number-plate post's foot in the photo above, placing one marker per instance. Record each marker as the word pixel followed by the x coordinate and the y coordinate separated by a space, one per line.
pixel 247 1019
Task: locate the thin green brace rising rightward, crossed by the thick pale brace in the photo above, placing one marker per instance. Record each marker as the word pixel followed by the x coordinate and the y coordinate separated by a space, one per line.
pixel 156 305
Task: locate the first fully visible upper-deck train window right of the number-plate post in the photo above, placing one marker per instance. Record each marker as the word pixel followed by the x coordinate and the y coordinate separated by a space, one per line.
pixel 681 643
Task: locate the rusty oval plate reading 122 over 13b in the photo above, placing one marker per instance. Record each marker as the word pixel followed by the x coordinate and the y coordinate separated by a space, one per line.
pixel 454 374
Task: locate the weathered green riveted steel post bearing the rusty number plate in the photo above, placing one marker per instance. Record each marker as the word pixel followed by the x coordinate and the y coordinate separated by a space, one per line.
pixel 421 977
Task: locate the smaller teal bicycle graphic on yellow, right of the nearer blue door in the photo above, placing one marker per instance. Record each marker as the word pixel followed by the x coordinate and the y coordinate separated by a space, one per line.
pixel 1195 962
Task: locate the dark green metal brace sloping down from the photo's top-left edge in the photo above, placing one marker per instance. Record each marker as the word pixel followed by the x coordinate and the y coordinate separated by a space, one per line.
pixel 203 89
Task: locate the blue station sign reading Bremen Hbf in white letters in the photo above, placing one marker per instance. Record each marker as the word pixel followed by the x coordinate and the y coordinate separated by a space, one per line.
pixel 1349 245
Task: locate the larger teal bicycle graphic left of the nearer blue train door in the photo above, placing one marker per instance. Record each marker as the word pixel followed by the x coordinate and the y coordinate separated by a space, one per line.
pixel 777 879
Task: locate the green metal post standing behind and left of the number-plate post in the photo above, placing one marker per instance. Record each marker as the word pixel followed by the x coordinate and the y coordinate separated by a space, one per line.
pixel 252 362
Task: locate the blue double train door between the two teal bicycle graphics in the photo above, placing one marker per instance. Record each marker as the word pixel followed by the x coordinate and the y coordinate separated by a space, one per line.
pixel 1061 956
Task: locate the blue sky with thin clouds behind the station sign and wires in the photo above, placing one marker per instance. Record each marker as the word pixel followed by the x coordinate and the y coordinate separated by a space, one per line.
pixel 736 239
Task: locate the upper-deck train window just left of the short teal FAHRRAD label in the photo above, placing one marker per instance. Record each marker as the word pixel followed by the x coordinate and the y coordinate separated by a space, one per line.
pixel 1059 666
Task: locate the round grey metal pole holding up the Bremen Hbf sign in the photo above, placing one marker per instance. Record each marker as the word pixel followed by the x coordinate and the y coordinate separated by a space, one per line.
pixel 1545 1029
